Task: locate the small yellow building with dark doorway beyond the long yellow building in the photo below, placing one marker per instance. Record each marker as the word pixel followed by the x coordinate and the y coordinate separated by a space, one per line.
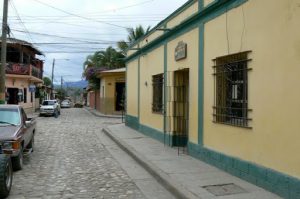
pixel 112 91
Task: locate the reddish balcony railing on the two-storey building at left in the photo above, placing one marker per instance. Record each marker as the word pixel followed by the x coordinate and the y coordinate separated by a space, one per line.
pixel 23 69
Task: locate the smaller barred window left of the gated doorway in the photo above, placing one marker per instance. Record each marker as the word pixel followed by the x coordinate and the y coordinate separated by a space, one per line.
pixel 157 84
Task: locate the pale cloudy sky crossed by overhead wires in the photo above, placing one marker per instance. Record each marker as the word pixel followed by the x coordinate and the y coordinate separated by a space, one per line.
pixel 69 30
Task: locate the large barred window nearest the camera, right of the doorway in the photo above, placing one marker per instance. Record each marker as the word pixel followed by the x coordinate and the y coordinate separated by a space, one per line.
pixel 231 90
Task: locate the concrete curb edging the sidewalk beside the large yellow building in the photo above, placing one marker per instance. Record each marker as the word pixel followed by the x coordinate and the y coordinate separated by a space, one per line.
pixel 177 190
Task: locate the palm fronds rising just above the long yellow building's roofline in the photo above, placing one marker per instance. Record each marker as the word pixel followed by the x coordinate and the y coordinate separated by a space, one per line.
pixel 133 35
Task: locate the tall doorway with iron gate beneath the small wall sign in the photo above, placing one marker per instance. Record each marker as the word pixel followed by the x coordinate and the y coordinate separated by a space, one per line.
pixel 181 108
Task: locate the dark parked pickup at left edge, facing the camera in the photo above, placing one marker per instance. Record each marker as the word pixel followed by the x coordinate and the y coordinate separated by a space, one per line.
pixel 16 134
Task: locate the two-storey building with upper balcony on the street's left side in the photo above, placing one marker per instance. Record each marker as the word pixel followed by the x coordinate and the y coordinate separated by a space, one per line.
pixel 24 72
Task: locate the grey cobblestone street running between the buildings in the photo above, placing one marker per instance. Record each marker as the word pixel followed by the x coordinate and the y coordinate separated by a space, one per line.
pixel 70 161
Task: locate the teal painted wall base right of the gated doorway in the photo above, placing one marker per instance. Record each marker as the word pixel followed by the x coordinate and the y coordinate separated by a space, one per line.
pixel 281 184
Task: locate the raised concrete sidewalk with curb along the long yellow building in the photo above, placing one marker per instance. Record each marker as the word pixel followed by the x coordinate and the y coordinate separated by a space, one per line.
pixel 182 175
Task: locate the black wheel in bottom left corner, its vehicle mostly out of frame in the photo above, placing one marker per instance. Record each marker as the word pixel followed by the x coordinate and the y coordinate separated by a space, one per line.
pixel 6 176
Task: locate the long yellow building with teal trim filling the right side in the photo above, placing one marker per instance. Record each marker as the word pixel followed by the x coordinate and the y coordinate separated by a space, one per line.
pixel 217 76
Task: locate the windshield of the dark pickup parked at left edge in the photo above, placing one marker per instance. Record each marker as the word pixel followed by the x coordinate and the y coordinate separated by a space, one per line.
pixel 9 116
